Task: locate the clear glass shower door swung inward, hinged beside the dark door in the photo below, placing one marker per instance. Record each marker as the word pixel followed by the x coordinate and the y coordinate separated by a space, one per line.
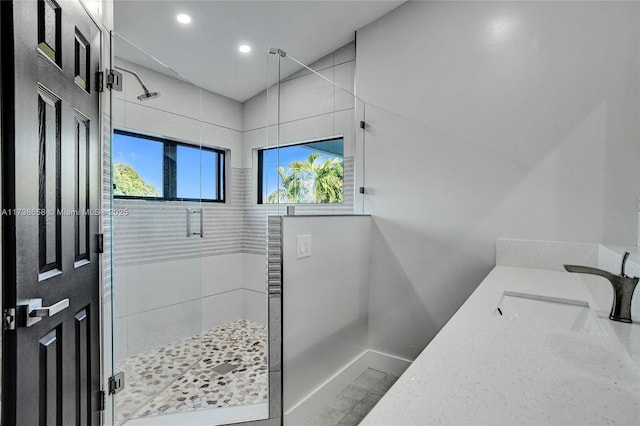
pixel 156 244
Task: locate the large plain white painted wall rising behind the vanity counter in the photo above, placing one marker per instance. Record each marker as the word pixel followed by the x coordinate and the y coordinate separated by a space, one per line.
pixel 487 120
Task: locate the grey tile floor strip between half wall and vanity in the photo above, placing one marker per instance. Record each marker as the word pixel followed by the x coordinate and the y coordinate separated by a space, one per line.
pixel 355 401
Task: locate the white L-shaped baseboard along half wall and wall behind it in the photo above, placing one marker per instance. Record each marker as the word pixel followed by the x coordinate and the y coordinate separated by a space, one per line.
pixel 304 410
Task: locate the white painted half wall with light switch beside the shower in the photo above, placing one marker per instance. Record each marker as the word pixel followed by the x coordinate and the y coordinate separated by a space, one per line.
pixel 325 300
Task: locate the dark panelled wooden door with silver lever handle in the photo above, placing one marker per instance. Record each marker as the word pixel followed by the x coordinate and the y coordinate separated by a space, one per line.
pixel 51 197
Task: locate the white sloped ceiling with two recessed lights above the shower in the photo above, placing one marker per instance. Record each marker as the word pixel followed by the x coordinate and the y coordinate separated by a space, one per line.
pixel 205 52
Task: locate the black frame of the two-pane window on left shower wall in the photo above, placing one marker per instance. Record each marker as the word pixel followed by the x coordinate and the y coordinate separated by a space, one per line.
pixel 170 169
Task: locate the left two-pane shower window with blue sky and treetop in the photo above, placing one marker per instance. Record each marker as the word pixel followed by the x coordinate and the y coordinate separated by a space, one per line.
pixel 161 169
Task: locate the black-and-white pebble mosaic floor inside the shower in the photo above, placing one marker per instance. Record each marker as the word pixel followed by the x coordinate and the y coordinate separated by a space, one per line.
pixel 223 367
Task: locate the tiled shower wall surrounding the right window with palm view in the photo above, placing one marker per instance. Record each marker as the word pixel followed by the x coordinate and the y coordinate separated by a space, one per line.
pixel 309 108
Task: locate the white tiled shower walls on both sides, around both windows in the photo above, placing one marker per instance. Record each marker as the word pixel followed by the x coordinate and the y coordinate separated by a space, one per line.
pixel 168 286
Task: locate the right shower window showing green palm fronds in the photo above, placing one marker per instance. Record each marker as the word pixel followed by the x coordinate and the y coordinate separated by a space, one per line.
pixel 311 172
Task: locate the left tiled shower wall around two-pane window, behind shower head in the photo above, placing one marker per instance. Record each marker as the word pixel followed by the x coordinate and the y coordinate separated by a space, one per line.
pixel 167 286
